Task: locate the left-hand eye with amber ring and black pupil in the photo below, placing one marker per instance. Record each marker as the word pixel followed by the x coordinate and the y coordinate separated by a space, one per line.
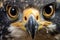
pixel 12 12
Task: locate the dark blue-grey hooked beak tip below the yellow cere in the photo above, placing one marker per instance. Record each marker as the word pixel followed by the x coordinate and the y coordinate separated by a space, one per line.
pixel 32 26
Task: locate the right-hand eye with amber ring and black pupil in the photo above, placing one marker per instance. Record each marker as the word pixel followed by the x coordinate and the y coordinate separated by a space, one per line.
pixel 48 11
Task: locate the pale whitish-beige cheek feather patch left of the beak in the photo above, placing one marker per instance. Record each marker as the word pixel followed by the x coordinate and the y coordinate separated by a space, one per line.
pixel 16 32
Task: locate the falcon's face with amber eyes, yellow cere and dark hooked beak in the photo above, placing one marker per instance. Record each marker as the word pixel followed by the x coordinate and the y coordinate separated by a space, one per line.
pixel 20 16
